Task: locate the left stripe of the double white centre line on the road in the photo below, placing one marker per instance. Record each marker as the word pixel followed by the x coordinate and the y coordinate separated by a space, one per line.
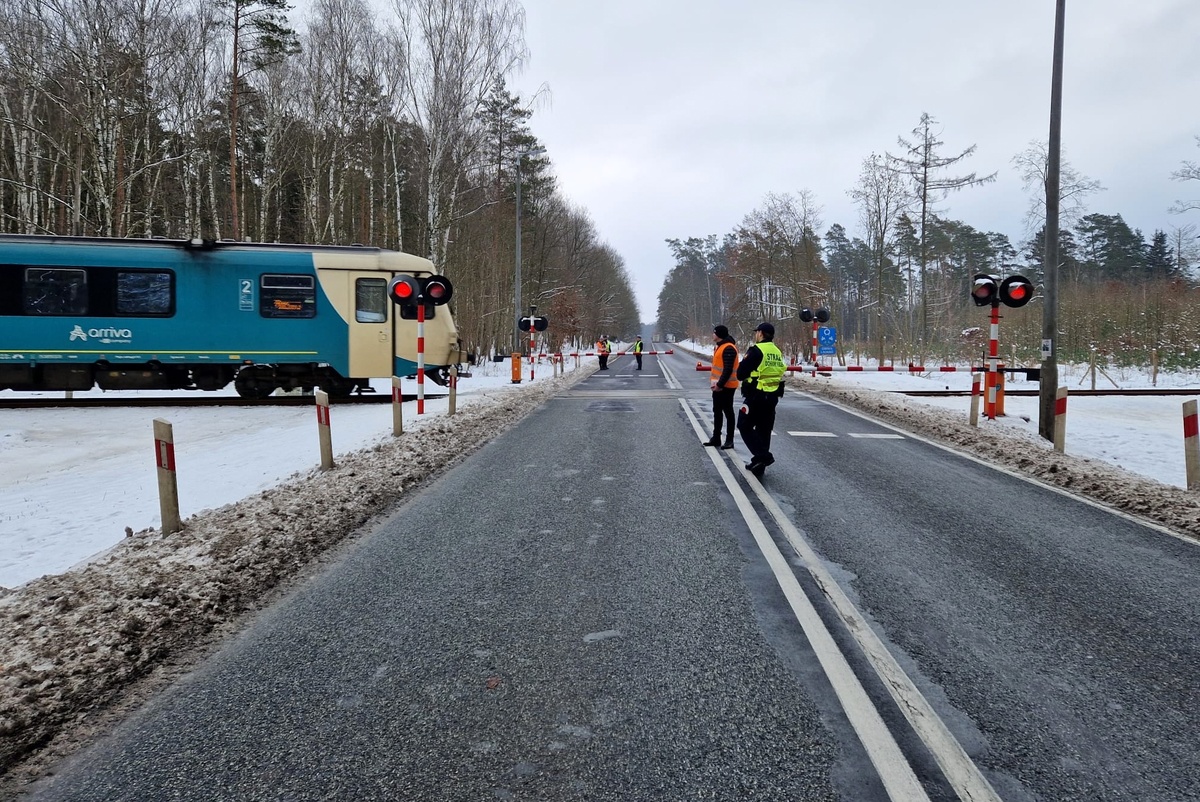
pixel 896 774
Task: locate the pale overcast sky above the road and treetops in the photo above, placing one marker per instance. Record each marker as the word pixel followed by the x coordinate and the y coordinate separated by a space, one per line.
pixel 675 118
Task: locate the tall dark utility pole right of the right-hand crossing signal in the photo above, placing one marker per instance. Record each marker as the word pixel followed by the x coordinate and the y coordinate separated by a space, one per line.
pixel 1049 385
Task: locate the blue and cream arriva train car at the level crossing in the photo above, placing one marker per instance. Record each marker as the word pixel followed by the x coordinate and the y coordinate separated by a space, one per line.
pixel 157 314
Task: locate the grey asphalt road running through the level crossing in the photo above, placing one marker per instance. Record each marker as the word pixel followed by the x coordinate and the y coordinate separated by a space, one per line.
pixel 581 612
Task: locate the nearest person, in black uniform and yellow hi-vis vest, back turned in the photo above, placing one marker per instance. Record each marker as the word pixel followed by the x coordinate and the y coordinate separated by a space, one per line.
pixel 761 373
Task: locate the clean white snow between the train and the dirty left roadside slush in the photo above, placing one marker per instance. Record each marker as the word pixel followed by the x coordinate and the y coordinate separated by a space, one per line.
pixel 73 481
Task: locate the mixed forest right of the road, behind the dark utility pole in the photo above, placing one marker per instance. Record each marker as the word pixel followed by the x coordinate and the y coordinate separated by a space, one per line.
pixel 898 286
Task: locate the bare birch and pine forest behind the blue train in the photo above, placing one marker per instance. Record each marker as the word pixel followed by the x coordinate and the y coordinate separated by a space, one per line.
pixel 229 119
